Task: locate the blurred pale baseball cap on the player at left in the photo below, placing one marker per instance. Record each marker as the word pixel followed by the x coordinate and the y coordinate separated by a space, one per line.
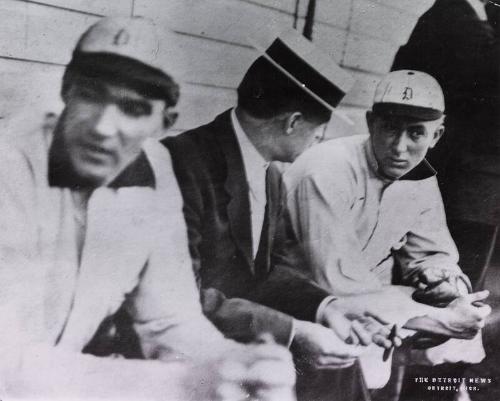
pixel 127 51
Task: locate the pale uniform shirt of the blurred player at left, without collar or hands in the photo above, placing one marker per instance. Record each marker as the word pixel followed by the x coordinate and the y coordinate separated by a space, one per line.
pixel 134 253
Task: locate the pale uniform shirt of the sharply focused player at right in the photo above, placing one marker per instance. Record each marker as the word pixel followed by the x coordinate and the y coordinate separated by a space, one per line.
pixel 348 228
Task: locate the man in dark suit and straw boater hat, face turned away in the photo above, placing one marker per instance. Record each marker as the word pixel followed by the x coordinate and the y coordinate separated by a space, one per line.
pixel 284 102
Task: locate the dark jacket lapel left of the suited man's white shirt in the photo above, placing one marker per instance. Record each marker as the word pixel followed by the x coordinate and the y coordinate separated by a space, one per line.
pixel 236 186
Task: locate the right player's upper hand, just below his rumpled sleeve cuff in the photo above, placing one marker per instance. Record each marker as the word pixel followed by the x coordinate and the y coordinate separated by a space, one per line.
pixel 438 287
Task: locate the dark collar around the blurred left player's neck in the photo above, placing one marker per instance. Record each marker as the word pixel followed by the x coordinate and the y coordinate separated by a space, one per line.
pixel 62 174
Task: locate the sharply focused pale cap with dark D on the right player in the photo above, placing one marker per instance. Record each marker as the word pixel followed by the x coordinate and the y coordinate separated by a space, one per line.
pixel 409 93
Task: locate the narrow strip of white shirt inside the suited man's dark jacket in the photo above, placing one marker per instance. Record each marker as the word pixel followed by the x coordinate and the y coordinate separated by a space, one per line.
pixel 255 170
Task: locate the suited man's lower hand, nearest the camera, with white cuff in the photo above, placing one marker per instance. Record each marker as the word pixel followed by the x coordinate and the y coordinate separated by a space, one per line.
pixel 322 348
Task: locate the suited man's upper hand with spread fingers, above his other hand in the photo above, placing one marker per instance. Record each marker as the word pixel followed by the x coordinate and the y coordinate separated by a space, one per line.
pixel 363 327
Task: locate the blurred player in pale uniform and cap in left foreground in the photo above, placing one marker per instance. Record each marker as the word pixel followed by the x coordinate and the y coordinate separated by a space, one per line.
pixel 81 237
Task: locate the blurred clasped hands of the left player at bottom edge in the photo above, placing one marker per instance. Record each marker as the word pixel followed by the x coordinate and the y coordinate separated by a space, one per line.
pixel 246 372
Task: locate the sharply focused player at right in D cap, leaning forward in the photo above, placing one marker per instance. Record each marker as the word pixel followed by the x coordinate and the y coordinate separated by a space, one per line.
pixel 364 212
